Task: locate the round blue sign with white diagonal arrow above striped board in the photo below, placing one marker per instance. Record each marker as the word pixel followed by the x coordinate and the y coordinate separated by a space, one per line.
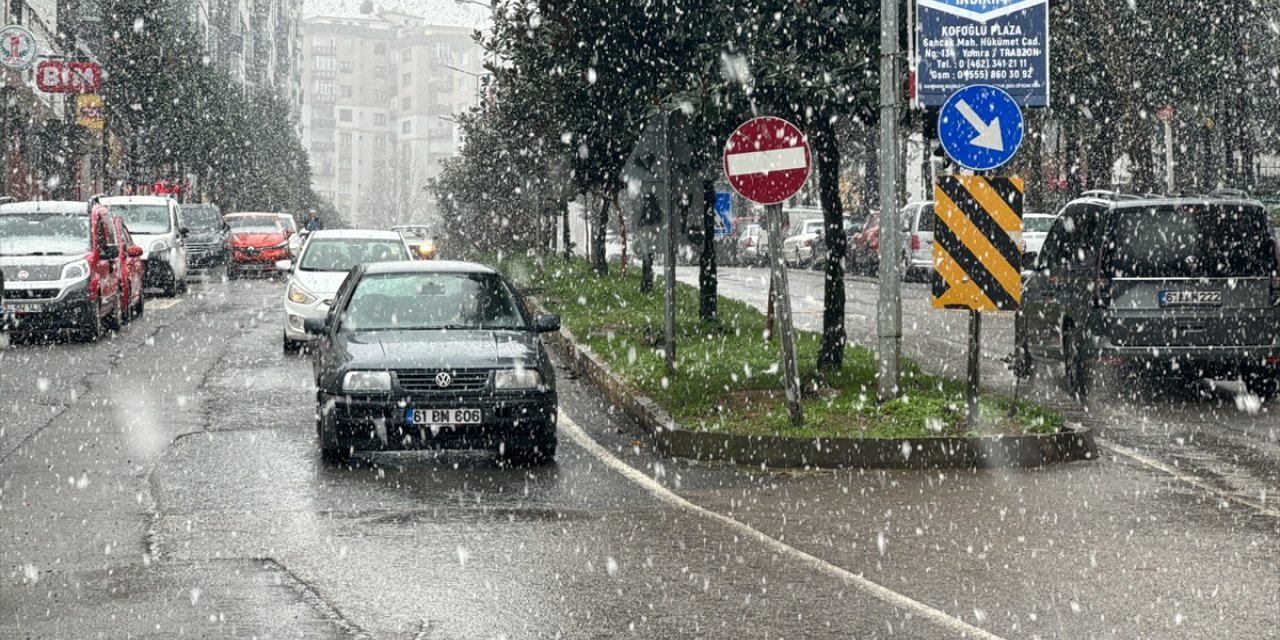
pixel 981 127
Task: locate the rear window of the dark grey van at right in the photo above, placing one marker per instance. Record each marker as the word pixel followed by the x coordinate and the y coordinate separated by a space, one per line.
pixel 1204 241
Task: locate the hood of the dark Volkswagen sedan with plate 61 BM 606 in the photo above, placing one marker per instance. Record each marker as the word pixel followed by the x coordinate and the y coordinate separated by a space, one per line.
pixel 450 350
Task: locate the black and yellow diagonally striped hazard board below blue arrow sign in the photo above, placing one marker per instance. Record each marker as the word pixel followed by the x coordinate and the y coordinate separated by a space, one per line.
pixel 977 260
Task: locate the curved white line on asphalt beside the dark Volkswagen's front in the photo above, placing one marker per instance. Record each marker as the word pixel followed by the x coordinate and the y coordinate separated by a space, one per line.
pixel 854 580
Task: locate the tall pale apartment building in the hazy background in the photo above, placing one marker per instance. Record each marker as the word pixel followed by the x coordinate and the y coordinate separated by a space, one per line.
pixel 380 94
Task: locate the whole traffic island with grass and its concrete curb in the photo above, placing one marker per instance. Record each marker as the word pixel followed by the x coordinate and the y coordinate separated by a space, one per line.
pixel 725 404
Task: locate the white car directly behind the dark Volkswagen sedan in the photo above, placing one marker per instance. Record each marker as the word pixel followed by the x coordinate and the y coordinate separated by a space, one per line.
pixel 323 264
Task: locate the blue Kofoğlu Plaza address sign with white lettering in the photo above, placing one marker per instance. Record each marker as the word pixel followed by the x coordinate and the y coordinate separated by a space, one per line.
pixel 998 43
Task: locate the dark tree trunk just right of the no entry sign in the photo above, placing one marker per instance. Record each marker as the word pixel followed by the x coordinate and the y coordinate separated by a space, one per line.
pixel 831 355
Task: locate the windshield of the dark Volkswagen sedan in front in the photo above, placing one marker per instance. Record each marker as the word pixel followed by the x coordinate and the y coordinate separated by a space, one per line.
pixel 432 301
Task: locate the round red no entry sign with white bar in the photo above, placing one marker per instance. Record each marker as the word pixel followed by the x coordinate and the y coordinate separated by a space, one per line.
pixel 767 161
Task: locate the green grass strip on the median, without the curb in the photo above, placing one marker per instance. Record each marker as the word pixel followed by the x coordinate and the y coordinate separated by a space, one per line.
pixel 729 378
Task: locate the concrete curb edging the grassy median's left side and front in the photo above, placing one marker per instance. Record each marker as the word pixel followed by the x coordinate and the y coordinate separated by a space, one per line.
pixel 780 452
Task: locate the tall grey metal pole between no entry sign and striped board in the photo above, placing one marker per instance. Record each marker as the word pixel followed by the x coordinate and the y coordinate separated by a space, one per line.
pixel 889 317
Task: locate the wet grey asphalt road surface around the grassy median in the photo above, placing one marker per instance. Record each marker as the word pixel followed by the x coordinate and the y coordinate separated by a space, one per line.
pixel 166 483
